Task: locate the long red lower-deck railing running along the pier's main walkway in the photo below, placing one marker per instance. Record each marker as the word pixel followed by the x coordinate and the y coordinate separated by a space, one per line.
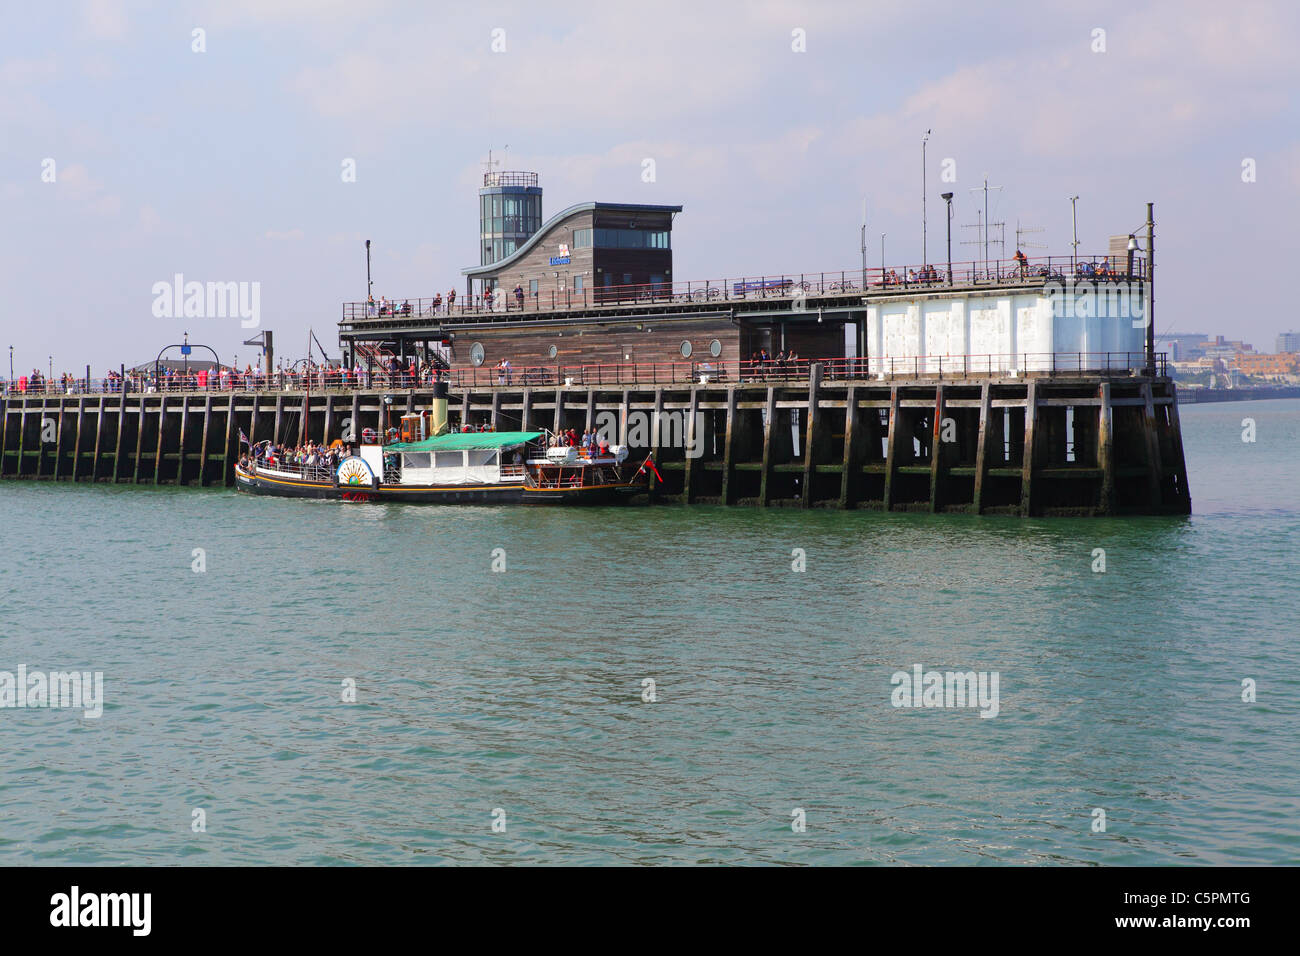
pixel 710 371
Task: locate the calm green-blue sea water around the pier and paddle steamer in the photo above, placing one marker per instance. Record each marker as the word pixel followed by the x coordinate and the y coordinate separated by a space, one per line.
pixel 522 691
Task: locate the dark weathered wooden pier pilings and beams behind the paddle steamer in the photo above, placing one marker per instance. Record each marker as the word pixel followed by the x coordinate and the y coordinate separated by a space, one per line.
pixel 1080 444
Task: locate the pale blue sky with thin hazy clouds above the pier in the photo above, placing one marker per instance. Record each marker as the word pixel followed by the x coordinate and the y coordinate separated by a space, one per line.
pixel 265 141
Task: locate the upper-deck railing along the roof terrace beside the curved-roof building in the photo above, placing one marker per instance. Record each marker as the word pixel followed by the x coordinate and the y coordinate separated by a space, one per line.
pixel 1002 272
